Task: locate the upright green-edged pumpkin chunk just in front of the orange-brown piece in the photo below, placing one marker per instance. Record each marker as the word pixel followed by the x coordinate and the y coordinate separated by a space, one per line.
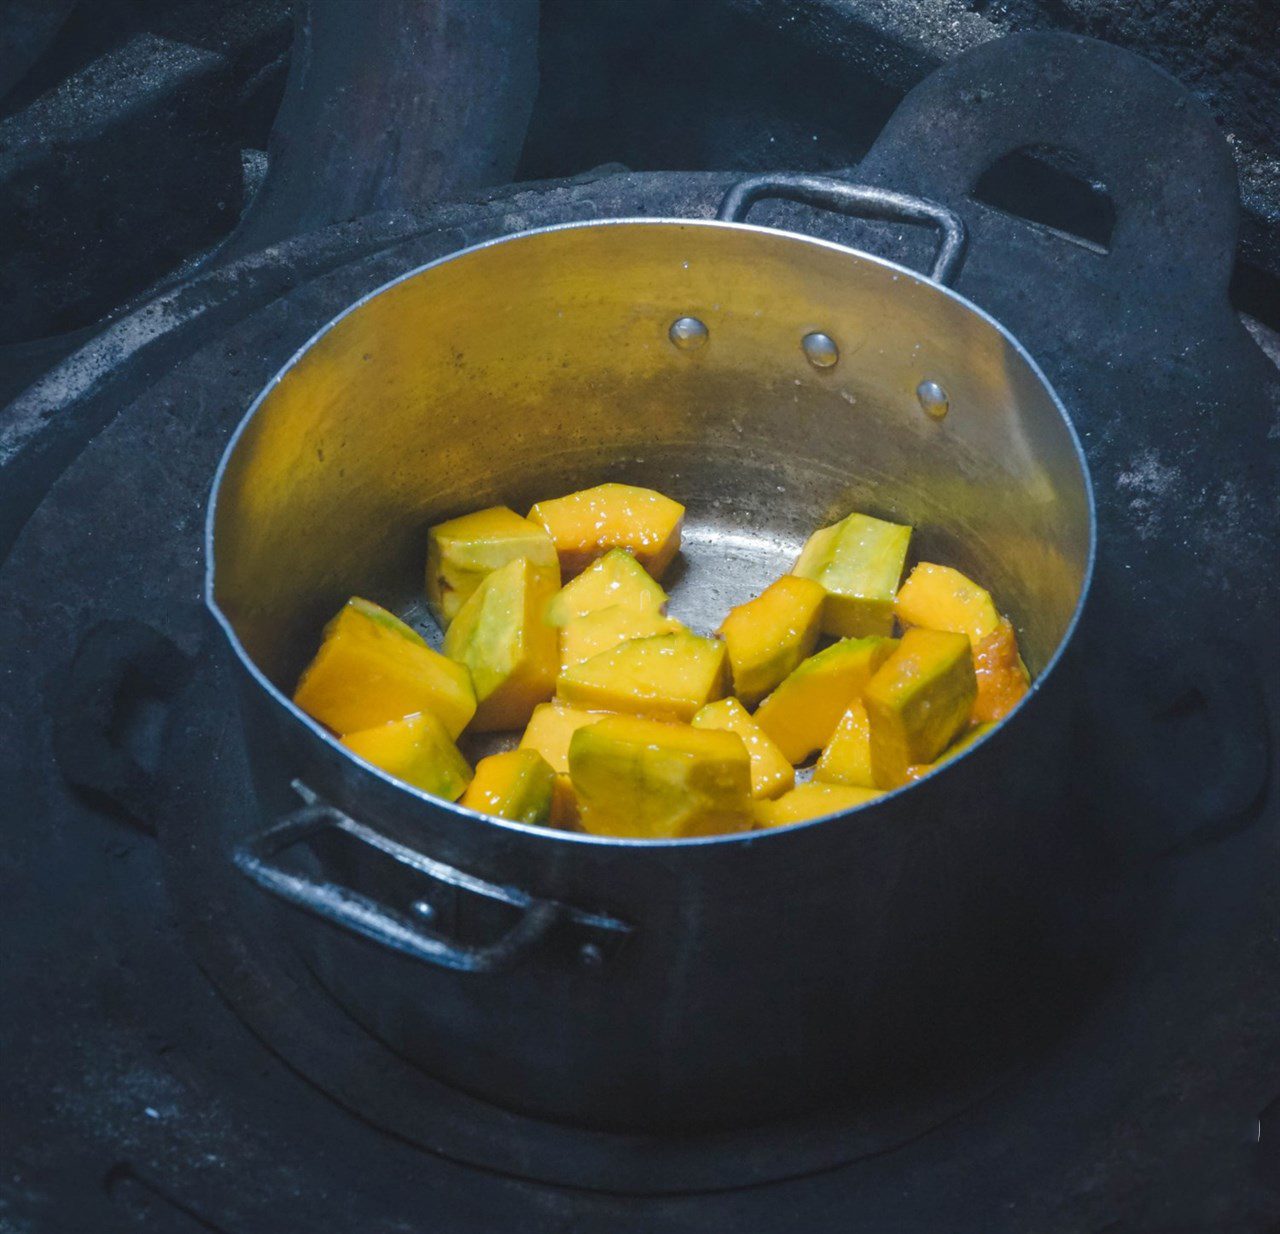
pixel 918 702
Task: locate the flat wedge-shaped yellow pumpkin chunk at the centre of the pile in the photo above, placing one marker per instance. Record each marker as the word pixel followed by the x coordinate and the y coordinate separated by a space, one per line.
pixel 666 677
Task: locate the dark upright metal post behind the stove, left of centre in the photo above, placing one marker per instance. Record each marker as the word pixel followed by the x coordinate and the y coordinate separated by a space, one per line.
pixel 392 104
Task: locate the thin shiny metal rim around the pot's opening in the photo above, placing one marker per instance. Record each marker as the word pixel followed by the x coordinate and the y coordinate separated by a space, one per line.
pixel 296 715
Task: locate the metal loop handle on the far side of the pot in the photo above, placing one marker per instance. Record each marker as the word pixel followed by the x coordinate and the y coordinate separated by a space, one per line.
pixel 860 200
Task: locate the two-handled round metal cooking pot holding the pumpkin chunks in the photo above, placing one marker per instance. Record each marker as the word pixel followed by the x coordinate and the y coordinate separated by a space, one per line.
pixel 660 985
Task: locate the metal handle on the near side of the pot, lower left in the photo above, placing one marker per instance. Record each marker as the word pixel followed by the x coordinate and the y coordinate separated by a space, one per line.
pixel 591 936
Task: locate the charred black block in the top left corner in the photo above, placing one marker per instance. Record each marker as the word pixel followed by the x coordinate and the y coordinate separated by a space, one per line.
pixel 94 205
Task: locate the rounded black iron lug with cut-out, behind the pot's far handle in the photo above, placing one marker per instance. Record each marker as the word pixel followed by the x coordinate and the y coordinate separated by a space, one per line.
pixel 1130 127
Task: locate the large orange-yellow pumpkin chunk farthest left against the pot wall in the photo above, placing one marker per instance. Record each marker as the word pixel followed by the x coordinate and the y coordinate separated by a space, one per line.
pixel 372 669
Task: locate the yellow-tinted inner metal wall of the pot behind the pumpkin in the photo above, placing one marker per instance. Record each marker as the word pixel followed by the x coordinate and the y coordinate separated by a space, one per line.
pixel 542 364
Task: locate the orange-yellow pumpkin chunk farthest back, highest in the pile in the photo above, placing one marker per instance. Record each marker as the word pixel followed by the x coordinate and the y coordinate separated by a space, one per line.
pixel 591 523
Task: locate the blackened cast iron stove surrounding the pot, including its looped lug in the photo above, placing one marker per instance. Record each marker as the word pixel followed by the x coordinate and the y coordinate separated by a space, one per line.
pixel 170 1067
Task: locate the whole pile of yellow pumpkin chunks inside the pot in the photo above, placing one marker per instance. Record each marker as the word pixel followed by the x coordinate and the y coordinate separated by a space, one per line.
pixel 636 726
